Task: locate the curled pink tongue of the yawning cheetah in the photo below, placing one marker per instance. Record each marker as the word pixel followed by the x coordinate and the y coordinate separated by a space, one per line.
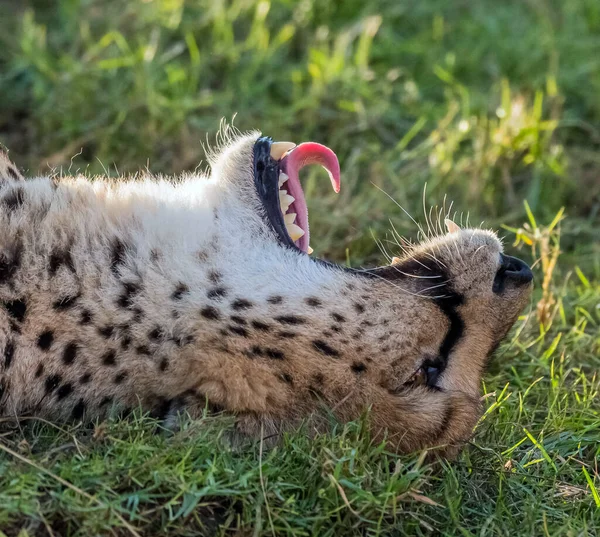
pixel 304 155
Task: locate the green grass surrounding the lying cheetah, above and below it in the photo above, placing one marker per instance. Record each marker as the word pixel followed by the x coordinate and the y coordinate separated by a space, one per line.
pixel 488 103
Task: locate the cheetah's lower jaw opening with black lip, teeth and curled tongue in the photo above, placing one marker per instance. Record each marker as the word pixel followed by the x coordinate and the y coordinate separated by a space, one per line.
pixel 276 175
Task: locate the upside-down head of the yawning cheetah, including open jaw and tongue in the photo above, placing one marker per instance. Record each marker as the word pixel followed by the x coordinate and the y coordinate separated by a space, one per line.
pixel 416 335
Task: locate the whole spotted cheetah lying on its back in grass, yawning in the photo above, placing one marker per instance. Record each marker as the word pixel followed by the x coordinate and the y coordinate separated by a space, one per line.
pixel 170 294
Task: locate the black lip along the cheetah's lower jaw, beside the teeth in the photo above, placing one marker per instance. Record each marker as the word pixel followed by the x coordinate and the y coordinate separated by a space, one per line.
pixel 266 180
